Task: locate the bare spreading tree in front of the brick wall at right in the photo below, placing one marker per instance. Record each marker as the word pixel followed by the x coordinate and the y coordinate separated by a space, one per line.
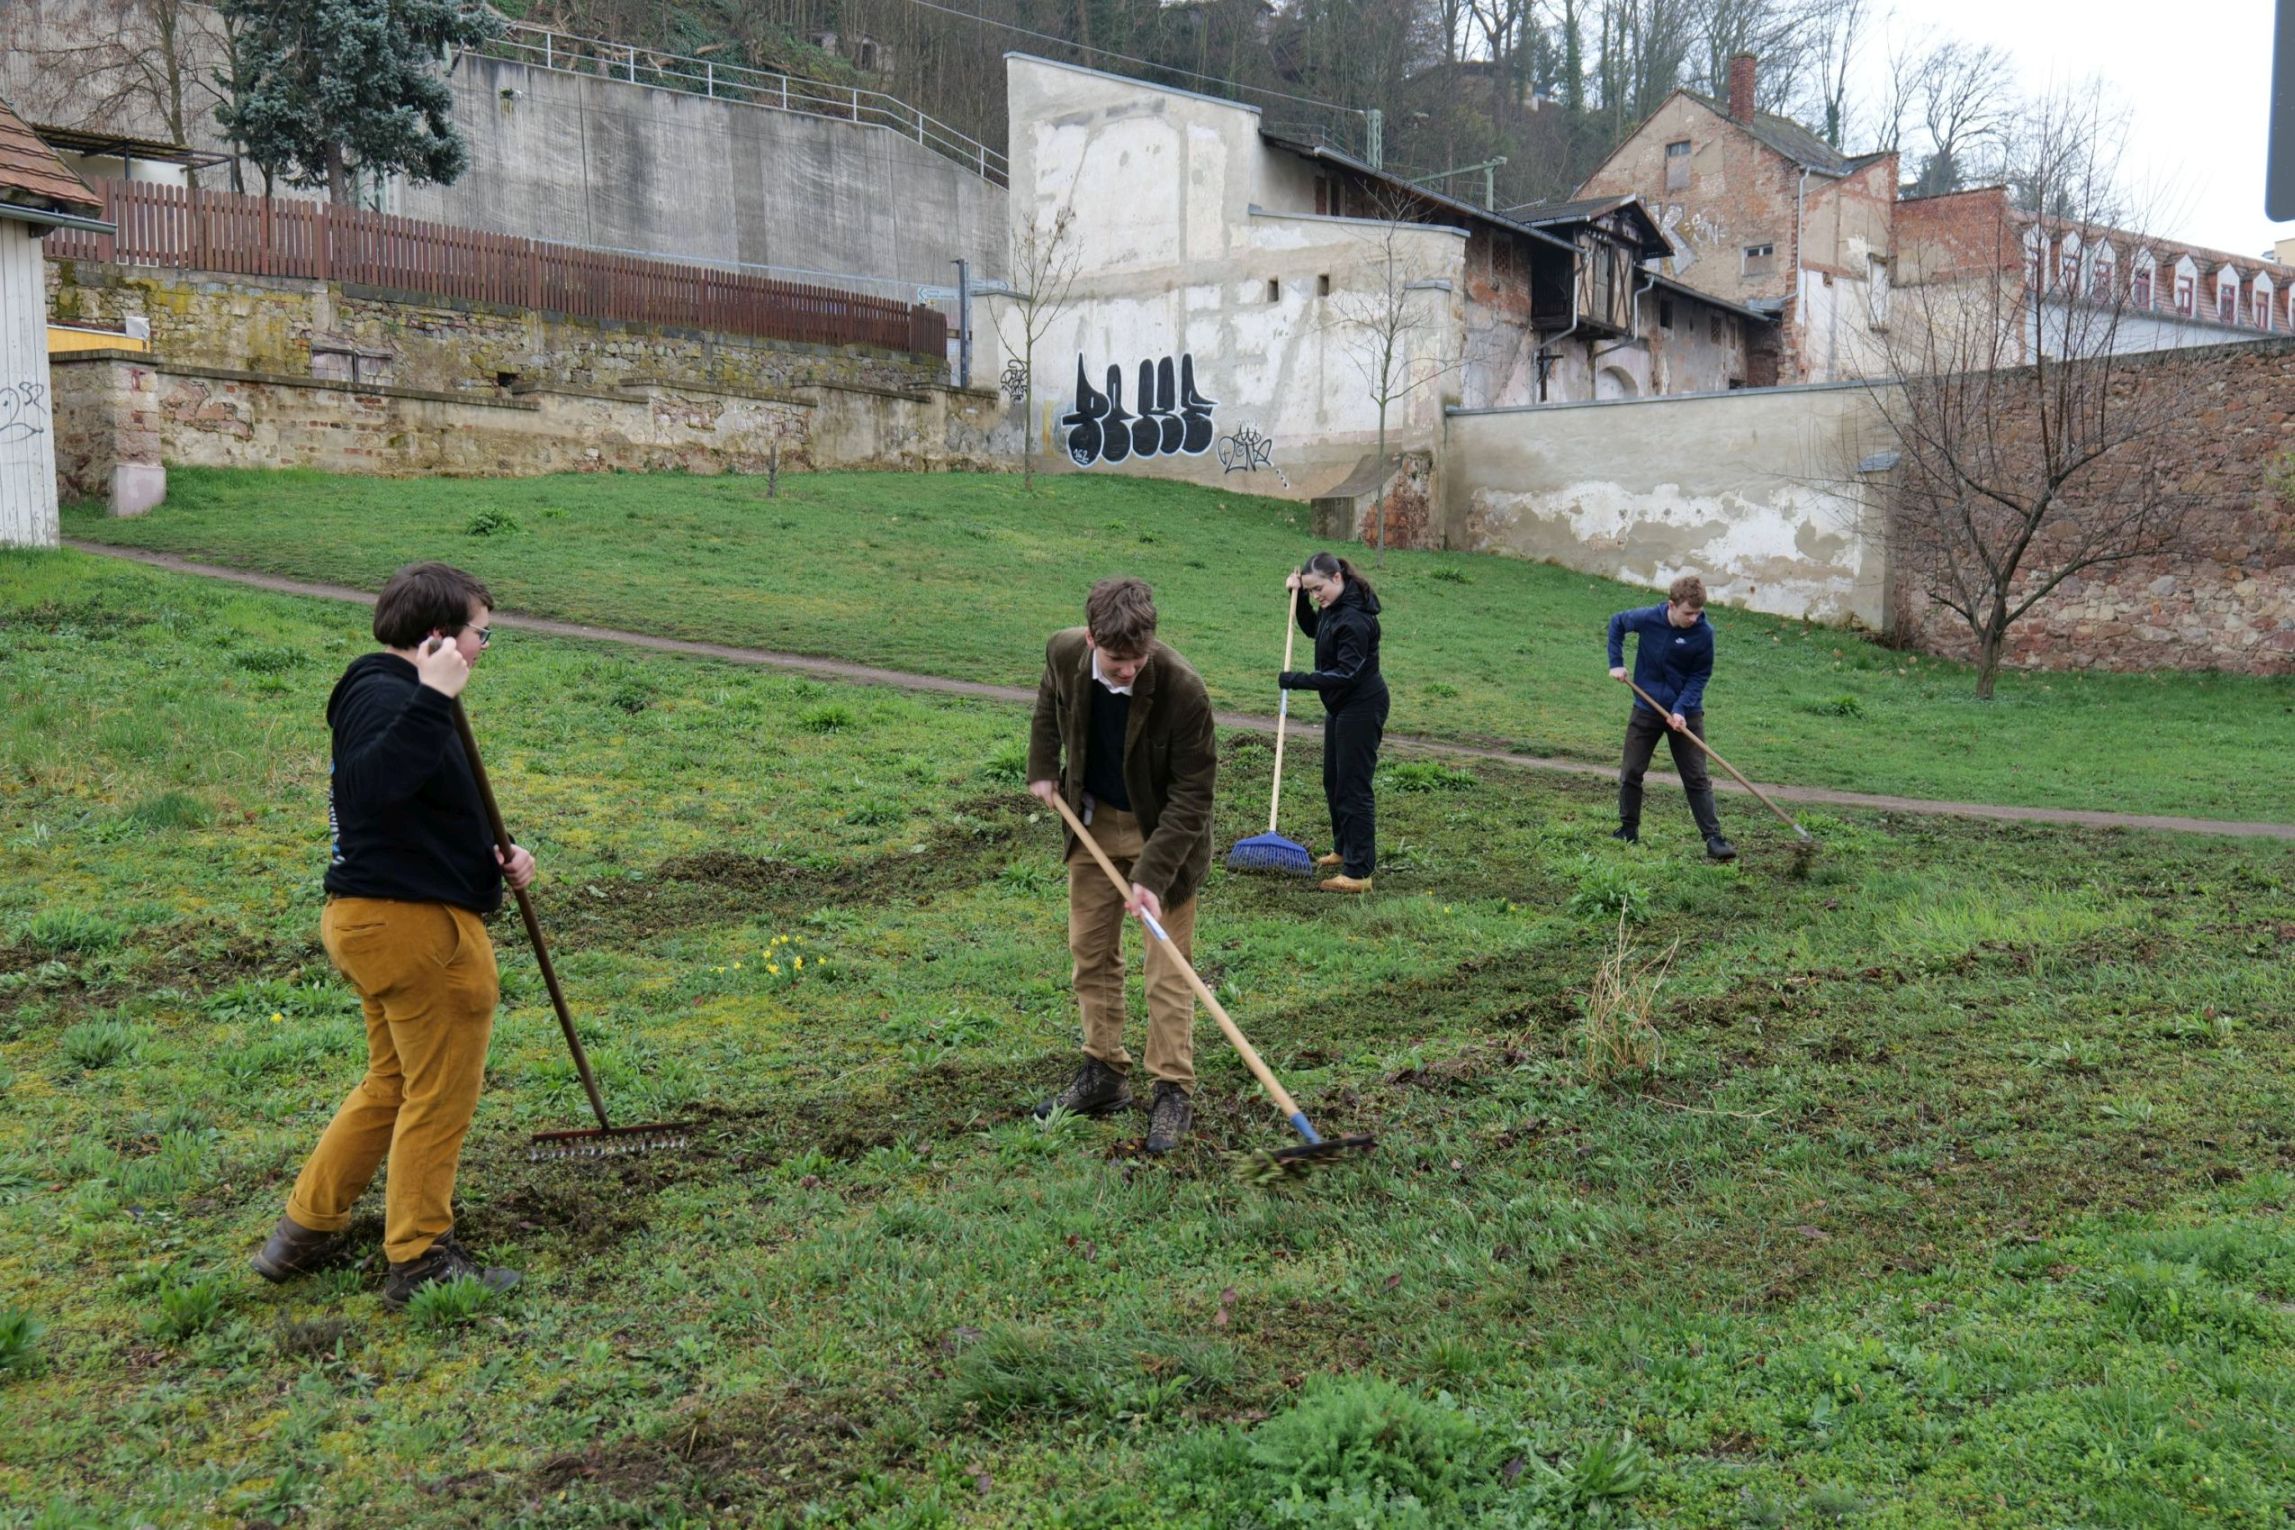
pixel 2023 421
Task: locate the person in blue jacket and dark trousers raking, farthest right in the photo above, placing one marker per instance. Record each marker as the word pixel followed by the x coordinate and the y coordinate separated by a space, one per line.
pixel 1674 657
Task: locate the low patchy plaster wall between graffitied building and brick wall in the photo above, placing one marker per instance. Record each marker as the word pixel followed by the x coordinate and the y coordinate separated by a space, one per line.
pixel 1755 492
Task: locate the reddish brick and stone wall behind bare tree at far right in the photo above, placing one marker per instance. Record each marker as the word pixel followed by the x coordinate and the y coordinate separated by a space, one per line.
pixel 2225 598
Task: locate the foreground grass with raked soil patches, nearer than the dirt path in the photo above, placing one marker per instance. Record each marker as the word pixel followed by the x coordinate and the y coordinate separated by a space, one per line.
pixel 1961 1192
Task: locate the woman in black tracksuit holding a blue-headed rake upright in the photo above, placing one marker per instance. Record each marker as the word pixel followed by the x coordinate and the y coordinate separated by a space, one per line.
pixel 1346 632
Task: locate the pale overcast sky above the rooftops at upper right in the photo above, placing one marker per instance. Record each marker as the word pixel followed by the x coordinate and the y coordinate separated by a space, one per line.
pixel 2197 81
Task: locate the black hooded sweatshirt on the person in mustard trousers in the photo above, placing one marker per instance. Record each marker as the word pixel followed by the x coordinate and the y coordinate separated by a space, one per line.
pixel 403 804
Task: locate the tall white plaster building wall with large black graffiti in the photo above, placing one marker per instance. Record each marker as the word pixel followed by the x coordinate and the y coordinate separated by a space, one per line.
pixel 1178 265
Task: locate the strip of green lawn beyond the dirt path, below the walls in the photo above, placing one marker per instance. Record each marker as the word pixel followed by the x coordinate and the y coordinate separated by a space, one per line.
pixel 965 577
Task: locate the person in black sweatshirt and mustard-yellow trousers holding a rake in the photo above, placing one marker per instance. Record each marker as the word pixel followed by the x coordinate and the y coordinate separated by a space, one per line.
pixel 412 875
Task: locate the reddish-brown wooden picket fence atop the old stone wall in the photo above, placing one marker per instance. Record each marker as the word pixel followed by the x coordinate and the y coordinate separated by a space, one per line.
pixel 217 231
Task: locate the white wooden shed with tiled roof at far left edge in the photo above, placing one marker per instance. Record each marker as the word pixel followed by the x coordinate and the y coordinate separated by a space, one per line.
pixel 36 196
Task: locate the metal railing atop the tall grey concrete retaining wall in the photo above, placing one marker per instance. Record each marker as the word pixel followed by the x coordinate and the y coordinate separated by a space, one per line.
pixel 784 93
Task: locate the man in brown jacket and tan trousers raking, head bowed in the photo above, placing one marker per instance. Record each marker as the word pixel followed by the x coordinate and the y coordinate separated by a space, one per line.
pixel 1123 731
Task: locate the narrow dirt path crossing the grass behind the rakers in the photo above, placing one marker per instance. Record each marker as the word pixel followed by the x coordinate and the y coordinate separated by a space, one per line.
pixel 869 676
